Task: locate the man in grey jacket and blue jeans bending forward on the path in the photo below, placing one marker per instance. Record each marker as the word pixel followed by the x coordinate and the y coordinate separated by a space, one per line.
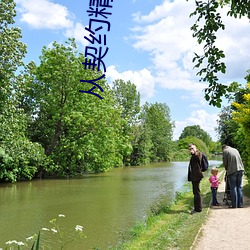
pixel 235 170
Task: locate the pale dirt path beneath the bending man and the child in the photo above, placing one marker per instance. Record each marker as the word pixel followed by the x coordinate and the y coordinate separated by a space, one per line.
pixel 225 228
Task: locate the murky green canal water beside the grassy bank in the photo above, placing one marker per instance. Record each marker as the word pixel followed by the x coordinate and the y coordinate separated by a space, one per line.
pixel 106 204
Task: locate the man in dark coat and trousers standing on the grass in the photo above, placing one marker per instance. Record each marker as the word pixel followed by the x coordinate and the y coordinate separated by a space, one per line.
pixel 195 175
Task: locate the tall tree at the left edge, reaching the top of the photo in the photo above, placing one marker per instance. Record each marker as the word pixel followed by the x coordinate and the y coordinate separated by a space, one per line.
pixel 12 50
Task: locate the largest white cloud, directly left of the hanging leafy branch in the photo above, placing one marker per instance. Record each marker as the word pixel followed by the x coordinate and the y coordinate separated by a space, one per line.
pixel 170 43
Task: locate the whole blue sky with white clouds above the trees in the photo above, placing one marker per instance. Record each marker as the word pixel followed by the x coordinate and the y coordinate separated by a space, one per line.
pixel 149 44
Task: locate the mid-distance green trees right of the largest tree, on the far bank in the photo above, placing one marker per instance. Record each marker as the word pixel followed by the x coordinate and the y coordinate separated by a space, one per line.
pixel 149 132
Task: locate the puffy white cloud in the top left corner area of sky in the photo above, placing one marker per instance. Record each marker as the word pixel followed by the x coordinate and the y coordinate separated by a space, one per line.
pixel 44 14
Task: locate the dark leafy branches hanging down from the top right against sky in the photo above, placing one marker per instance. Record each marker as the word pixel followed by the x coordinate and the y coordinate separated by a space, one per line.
pixel 208 23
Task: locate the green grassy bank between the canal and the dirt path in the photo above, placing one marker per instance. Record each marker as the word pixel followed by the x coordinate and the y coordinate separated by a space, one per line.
pixel 170 227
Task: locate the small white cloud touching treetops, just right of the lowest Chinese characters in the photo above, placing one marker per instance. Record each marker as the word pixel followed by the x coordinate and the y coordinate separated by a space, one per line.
pixel 143 80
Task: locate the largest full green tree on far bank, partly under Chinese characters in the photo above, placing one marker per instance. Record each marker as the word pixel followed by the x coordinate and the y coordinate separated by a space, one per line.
pixel 79 131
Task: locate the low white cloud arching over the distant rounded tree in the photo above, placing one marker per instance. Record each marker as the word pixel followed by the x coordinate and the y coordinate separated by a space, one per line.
pixel 208 122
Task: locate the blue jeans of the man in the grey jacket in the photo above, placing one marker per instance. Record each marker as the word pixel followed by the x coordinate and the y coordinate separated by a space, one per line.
pixel 235 182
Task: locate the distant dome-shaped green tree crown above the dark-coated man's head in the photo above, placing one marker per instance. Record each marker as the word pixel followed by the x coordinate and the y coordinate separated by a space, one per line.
pixel 196 131
